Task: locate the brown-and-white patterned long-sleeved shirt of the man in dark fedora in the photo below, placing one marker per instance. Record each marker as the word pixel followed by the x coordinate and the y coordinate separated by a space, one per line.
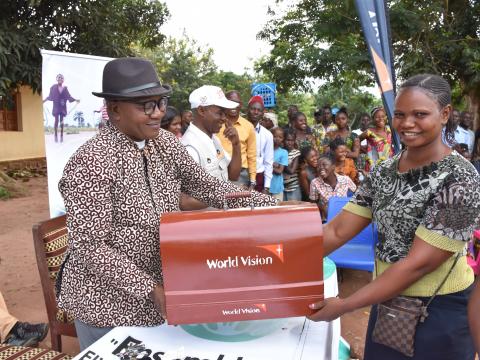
pixel 114 196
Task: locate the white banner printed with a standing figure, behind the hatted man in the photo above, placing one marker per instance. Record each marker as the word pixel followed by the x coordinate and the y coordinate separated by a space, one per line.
pixel 71 113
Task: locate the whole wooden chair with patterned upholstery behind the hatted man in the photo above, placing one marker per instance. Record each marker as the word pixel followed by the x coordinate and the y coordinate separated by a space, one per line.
pixel 50 240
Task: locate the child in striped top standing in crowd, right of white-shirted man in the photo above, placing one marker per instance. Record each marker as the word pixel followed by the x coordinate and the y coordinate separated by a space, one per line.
pixel 291 186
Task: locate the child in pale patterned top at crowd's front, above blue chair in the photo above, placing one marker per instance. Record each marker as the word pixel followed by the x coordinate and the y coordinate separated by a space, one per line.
pixel 328 184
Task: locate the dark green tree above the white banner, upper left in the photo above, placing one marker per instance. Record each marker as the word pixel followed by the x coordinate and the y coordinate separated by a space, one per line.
pixel 95 27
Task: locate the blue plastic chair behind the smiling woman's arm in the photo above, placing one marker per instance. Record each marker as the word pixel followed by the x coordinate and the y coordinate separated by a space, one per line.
pixel 359 252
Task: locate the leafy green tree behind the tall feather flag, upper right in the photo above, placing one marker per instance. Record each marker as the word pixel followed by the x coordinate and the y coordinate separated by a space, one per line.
pixel 323 39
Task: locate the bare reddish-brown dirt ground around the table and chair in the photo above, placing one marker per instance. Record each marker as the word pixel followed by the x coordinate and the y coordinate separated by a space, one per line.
pixel 20 282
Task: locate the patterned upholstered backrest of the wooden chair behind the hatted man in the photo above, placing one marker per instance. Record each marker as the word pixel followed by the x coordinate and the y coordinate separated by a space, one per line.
pixel 50 239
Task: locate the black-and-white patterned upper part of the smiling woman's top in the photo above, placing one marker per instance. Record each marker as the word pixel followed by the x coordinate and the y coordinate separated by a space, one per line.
pixel 442 198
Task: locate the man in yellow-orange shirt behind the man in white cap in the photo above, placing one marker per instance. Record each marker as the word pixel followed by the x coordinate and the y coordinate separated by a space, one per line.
pixel 246 133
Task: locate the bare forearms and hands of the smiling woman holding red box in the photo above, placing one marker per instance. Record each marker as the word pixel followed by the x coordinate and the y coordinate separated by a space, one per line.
pixel 422 259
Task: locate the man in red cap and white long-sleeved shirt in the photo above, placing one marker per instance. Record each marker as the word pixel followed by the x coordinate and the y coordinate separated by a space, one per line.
pixel 264 139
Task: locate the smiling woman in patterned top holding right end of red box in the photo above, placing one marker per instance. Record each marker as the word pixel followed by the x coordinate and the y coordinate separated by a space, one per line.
pixel 425 202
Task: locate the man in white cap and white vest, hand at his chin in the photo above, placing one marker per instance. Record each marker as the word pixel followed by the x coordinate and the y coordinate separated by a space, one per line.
pixel 209 105
